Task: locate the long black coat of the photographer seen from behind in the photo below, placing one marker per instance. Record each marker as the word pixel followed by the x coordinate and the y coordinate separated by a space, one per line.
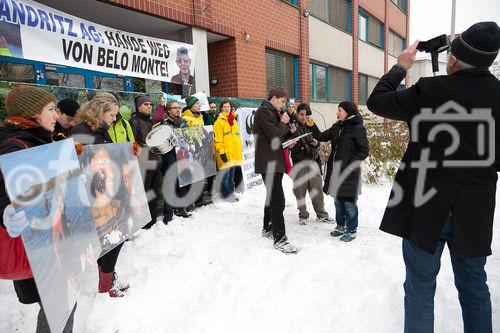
pixel 467 192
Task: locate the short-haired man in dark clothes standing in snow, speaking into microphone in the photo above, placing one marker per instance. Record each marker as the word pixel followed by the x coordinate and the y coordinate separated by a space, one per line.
pixel 270 130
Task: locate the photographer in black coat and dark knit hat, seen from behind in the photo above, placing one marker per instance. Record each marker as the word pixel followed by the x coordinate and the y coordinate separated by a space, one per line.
pixel 434 202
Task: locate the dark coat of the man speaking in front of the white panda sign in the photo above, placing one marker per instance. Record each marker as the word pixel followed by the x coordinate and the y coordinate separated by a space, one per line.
pixel 269 134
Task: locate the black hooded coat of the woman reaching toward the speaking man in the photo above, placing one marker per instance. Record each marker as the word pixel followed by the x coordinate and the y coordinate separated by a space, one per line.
pixel 349 148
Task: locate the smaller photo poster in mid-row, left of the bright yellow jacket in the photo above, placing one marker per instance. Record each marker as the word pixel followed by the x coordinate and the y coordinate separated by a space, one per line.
pixel 195 154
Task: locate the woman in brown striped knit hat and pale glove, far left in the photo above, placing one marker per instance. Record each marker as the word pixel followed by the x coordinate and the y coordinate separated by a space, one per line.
pixel 31 119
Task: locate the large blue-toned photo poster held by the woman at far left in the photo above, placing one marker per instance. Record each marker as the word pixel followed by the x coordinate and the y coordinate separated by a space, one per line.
pixel 61 242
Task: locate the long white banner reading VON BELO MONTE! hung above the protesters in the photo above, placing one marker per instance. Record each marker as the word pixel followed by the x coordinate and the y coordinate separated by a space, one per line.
pixel 33 31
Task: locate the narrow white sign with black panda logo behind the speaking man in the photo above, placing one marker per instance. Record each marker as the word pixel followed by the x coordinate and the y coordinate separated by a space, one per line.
pixel 245 123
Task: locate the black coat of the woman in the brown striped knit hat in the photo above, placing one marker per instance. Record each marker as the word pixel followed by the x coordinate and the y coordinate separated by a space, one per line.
pixel 25 289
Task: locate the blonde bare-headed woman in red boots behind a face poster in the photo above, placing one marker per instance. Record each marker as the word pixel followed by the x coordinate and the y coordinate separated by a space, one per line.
pixel 93 121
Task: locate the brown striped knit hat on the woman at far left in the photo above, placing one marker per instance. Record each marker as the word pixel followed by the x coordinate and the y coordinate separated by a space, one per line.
pixel 27 101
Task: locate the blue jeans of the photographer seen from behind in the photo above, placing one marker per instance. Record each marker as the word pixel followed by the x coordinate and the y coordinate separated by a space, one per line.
pixel 420 287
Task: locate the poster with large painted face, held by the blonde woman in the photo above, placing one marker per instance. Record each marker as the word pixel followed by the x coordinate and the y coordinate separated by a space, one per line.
pixel 115 190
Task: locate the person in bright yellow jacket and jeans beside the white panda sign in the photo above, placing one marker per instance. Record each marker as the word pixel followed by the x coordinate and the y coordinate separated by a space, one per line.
pixel 228 150
